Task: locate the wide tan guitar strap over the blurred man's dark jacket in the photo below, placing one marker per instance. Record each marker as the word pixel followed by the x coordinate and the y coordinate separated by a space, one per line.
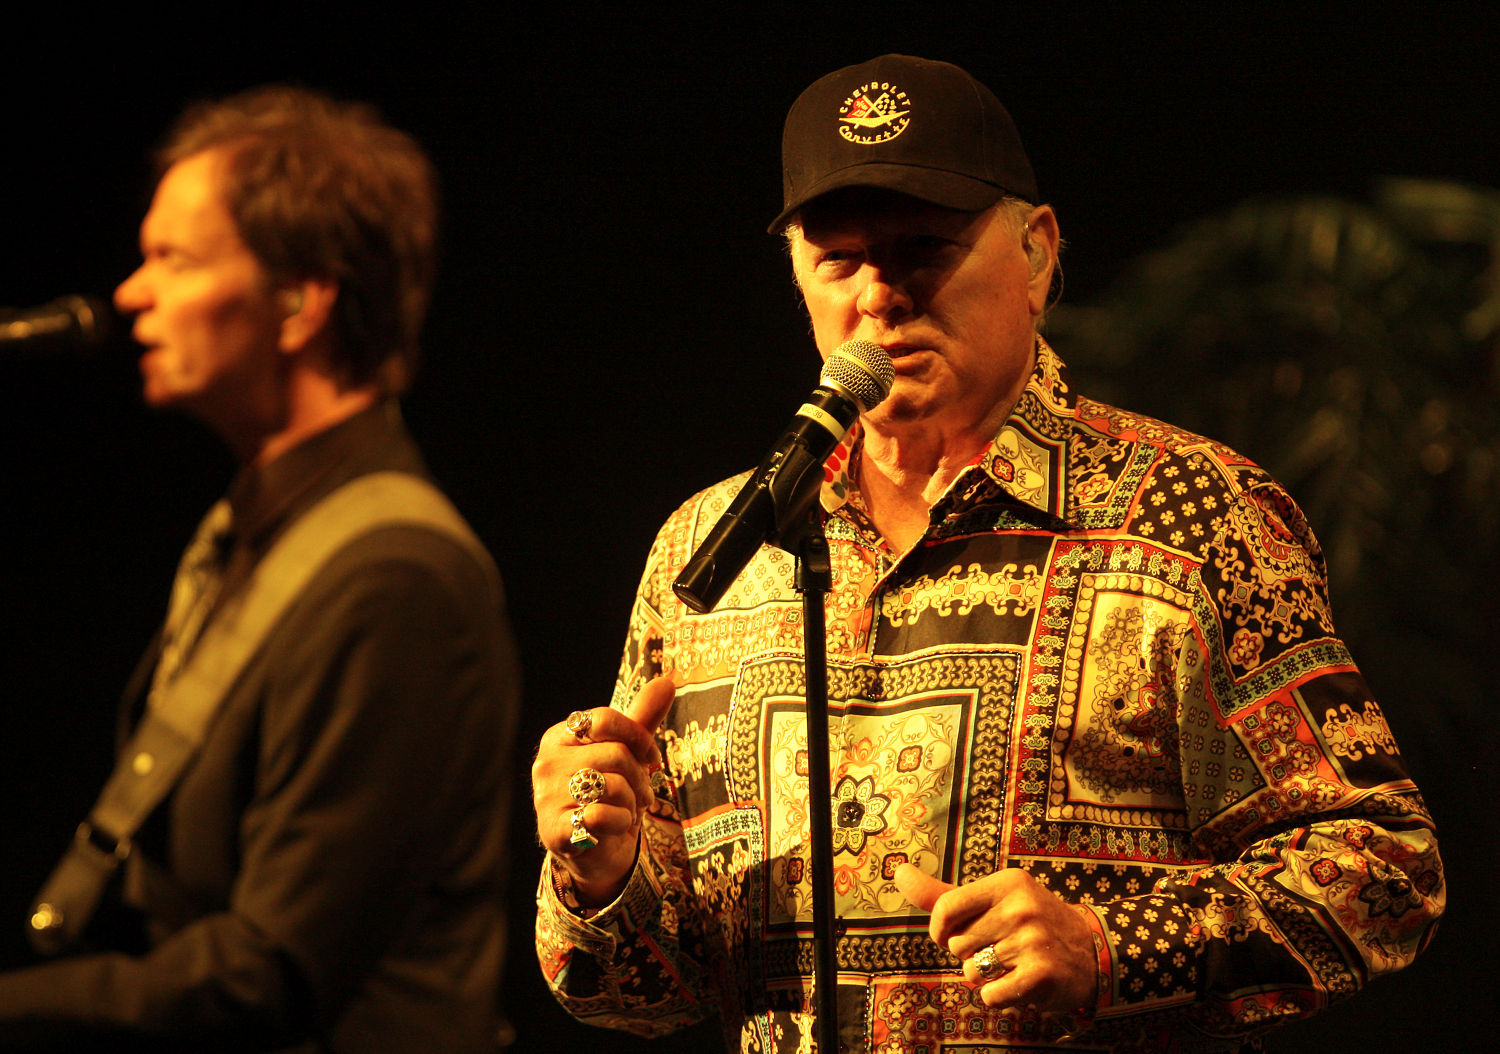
pixel 179 716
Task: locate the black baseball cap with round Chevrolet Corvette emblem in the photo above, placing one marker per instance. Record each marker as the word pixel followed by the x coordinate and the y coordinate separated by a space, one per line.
pixel 910 125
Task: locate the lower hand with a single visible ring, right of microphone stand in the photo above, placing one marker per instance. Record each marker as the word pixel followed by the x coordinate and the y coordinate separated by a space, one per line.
pixel 1043 947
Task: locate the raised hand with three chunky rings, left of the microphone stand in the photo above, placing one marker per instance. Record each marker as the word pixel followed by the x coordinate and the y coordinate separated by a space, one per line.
pixel 622 747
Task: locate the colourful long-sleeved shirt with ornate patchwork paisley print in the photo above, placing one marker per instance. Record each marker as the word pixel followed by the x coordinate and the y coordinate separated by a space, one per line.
pixel 1109 662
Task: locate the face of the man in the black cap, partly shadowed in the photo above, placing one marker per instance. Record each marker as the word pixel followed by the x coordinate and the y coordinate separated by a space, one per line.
pixel 950 296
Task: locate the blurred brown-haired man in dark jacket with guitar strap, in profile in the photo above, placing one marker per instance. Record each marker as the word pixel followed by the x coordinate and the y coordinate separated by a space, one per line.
pixel 302 843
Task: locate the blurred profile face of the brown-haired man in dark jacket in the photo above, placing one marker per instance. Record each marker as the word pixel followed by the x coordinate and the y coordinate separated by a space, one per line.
pixel 205 307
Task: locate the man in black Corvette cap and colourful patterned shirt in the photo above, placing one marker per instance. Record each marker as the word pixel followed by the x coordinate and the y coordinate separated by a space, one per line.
pixel 1103 774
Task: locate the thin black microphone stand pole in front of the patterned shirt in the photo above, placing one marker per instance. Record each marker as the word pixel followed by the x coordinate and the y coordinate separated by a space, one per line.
pixel 809 545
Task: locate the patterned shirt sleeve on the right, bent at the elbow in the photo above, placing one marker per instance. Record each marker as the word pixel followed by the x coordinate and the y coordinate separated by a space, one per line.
pixel 1325 869
